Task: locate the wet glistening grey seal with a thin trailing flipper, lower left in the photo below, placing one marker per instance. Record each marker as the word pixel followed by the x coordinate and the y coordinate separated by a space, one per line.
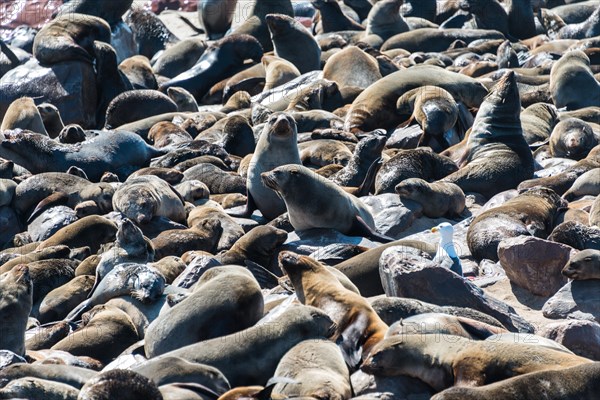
pixel 140 281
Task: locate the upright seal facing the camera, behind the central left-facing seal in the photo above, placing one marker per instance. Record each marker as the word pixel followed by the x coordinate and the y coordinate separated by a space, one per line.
pixel 276 146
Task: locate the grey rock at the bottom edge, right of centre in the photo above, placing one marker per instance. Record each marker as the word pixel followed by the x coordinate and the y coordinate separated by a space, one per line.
pixel 389 388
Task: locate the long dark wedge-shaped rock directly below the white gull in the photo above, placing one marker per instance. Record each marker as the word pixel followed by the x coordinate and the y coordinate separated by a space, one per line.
pixel 415 277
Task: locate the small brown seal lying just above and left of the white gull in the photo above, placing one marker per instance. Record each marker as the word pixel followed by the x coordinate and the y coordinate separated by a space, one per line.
pixel 438 198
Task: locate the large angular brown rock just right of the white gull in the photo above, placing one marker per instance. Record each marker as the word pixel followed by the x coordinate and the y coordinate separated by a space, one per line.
pixel 534 264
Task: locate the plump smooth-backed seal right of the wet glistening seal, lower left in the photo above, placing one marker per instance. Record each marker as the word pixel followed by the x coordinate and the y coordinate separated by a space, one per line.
pixel 227 303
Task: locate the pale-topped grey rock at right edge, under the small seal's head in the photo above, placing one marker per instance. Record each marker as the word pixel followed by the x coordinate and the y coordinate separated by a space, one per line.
pixel 575 300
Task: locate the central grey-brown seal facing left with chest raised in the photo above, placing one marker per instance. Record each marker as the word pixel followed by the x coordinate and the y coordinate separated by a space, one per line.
pixel 329 206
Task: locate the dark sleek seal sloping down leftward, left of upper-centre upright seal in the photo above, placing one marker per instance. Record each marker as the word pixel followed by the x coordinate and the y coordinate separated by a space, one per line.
pixel 220 60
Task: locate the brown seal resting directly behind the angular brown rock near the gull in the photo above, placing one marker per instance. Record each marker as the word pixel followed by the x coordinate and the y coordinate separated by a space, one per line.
pixel 530 213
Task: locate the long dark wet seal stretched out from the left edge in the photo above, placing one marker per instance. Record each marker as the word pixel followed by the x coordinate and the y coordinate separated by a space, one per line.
pixel 115 151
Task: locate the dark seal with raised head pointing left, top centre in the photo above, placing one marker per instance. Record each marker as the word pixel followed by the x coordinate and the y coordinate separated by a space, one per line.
pixel 294 43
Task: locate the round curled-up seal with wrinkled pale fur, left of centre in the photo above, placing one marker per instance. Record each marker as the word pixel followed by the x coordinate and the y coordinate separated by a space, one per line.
pixel 143 197
